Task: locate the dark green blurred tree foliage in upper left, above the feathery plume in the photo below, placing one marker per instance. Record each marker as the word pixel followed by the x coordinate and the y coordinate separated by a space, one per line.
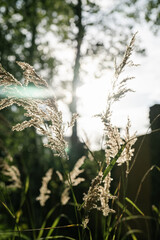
pixel 24 25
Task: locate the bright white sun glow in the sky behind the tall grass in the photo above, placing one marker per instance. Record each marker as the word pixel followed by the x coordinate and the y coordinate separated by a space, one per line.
pixel 93 92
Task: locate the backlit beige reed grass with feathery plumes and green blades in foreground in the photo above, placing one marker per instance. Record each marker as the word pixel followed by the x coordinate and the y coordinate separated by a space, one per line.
pixel 42 113
